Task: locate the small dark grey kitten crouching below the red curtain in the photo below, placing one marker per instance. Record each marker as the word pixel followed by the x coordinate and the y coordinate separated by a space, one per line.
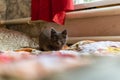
pixel 50 39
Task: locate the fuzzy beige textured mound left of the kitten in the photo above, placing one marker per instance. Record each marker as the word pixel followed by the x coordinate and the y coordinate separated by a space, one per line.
pixel 11 40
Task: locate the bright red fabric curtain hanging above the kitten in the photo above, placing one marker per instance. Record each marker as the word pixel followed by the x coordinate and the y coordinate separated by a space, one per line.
pixel 50 10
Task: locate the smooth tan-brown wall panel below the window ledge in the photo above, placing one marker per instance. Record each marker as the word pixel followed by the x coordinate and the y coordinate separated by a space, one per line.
pixel 94 26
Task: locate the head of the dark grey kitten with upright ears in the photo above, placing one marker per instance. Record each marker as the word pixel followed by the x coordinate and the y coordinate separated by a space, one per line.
pixel 58 39
